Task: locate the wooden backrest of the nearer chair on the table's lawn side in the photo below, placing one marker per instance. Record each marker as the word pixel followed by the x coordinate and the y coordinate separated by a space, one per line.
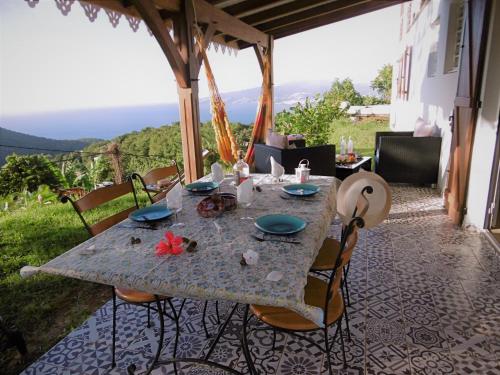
pixel 100 196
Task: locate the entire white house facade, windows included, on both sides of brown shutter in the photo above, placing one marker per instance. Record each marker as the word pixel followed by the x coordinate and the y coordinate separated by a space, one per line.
pixel 425 85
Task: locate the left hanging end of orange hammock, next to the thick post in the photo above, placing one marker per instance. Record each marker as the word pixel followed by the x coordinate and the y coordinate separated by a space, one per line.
pixel 226 143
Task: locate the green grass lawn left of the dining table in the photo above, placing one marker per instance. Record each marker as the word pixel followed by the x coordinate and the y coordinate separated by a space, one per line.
pixel 45 308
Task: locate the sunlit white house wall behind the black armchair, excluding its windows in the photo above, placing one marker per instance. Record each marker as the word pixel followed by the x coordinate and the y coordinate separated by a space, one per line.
pixel 429 97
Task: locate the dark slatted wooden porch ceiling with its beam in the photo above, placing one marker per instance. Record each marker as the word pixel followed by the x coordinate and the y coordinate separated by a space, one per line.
pixel 243 23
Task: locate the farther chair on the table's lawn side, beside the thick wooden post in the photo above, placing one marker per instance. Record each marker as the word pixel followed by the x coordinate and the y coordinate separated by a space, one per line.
pixel 153 176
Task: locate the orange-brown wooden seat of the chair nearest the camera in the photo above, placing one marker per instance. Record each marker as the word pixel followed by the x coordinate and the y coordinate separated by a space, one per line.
pixel 315 294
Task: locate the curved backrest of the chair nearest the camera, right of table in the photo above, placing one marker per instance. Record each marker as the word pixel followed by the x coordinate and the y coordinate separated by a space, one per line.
pixel 347 245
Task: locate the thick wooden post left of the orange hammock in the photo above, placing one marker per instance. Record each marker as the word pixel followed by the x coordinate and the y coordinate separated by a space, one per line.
pixel 189 108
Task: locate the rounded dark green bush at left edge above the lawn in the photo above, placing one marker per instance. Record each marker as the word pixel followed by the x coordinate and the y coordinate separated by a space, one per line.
pixel 27 172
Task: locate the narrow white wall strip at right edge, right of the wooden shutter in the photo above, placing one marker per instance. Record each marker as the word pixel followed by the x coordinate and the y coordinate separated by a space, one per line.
pixel 486 128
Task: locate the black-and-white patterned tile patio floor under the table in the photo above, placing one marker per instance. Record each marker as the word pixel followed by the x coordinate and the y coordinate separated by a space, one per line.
pixel 425 300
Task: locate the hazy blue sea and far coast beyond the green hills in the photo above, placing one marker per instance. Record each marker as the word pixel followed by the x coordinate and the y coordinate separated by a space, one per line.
pixel 108 123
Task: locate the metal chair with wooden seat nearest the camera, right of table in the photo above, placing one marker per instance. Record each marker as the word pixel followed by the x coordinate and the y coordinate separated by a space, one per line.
pixel 319 293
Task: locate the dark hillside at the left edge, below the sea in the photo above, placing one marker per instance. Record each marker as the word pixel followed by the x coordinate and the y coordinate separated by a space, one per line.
pixel 12 138
